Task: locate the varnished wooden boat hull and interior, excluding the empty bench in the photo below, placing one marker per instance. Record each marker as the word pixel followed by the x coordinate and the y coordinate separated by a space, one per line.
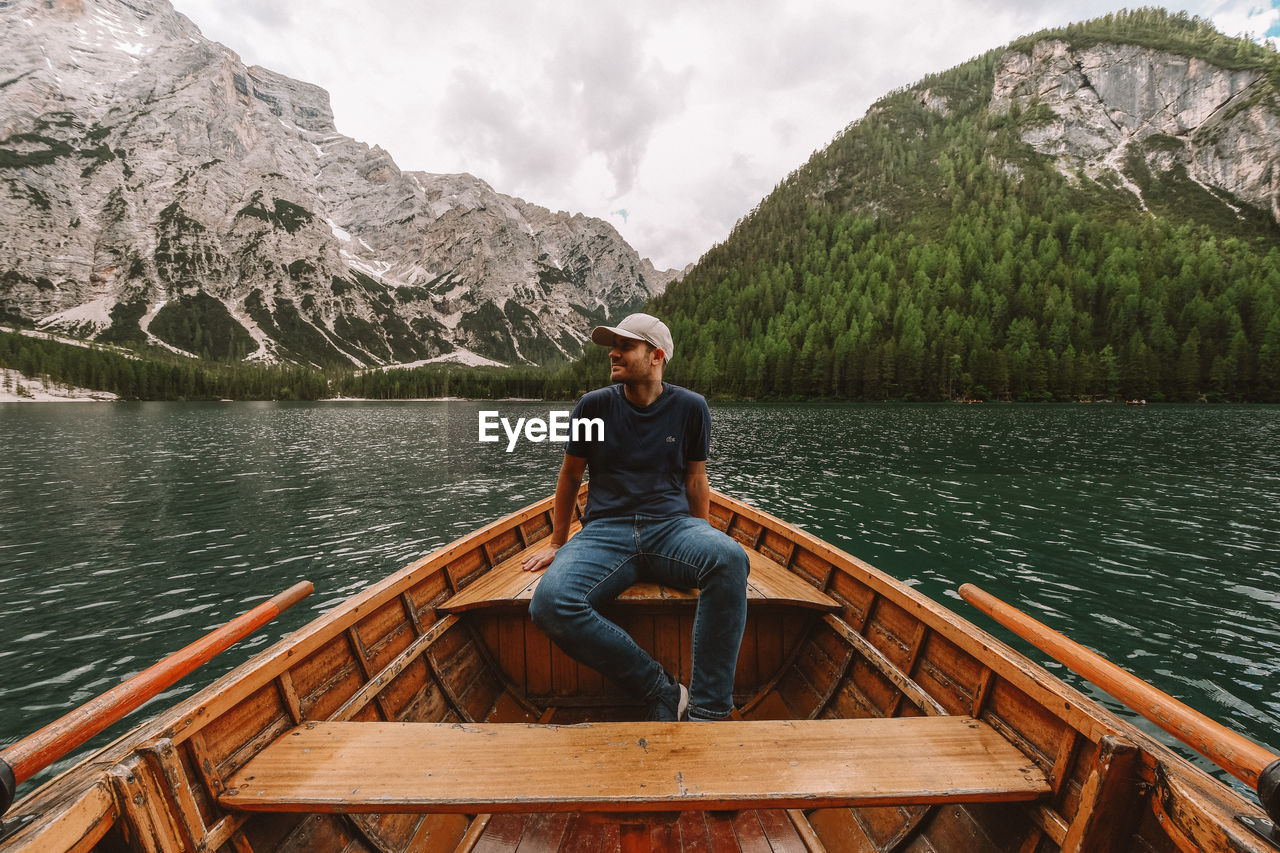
pixel 396 653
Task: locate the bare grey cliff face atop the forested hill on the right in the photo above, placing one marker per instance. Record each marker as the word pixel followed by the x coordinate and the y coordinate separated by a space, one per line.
pixel 1107 103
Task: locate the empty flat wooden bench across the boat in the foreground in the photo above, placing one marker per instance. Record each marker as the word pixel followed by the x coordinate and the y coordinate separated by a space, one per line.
pixel 633 767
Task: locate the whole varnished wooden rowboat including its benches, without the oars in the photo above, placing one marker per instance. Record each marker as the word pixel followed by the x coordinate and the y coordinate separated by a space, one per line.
pixel 429 714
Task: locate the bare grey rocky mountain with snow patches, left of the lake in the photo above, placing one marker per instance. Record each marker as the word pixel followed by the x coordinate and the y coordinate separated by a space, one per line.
pixel 158 190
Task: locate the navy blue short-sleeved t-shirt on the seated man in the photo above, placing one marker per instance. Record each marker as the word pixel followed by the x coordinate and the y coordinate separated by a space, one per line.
pixel 639 468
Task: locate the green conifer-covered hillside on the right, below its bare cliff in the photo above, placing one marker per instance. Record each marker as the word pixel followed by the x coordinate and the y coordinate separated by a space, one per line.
pixel 930 253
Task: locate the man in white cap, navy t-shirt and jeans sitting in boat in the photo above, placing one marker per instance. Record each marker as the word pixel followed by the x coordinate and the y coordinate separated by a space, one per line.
pixel 647 519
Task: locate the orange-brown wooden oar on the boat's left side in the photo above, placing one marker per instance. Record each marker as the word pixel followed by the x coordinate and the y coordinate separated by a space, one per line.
pixel 35 752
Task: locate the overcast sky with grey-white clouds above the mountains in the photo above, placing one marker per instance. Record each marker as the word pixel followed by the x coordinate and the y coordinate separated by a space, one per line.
pixel 669 118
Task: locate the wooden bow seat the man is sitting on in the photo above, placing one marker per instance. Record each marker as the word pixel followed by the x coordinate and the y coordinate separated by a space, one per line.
pixel 509 585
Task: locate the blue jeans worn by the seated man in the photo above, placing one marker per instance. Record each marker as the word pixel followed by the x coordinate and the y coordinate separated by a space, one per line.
pixel 610 555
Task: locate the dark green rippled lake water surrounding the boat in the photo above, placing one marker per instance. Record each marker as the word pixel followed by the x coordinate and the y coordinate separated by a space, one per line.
pixel 127 531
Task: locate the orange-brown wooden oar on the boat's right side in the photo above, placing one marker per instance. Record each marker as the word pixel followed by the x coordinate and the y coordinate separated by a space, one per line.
pixel 1233 752
